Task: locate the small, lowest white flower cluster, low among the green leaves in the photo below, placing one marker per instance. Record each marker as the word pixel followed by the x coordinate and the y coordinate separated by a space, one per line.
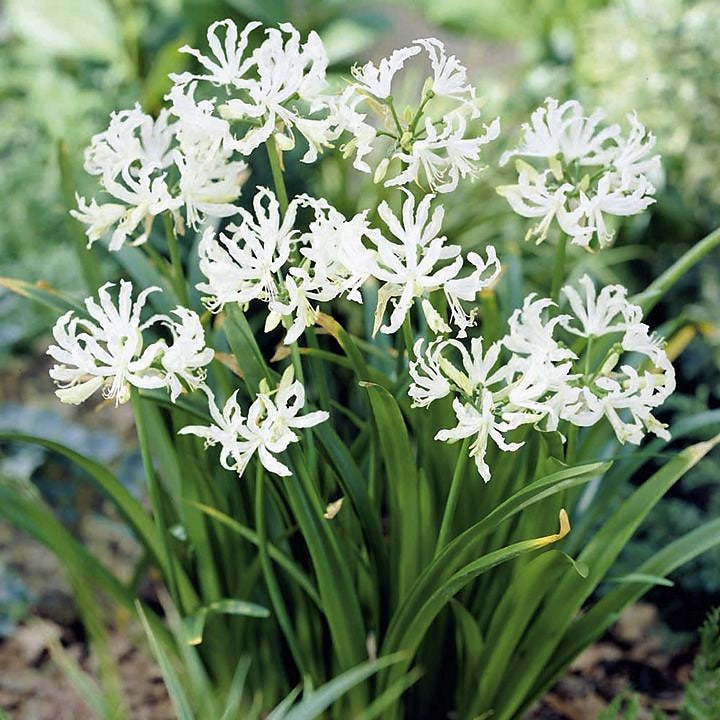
pixel 267 429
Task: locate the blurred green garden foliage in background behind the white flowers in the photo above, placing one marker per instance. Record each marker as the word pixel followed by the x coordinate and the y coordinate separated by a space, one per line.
pixel 66 64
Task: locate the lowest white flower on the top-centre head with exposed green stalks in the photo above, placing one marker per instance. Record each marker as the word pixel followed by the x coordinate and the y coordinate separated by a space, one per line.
pixel 444 155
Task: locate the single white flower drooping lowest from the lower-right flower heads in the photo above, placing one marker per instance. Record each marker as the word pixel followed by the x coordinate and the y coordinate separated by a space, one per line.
pixel 482 424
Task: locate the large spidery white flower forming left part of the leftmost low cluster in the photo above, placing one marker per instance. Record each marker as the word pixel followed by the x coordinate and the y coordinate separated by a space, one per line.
pixel 106 350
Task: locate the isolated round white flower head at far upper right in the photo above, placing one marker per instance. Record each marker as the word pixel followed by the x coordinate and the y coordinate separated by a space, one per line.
pixel 586 174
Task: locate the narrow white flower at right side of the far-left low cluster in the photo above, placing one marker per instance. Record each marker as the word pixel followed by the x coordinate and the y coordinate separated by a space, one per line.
pixel 186 357
